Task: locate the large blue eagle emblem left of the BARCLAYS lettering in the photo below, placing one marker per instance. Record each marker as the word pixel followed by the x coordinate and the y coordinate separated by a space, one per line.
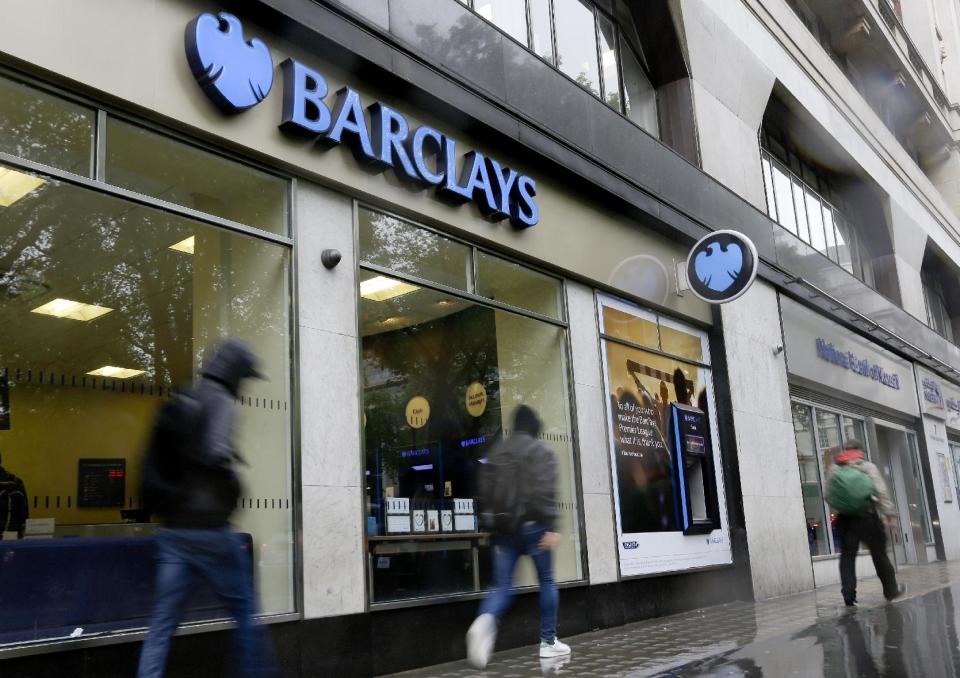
pixel 236 74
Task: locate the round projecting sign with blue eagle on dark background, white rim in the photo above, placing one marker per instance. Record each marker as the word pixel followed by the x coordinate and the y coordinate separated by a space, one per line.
pixel 722 266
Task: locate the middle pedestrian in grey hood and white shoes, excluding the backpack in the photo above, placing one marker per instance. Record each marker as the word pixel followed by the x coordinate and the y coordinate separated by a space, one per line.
pixel 537 537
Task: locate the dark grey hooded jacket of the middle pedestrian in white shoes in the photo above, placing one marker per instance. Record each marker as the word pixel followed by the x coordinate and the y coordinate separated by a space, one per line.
pixel 539 468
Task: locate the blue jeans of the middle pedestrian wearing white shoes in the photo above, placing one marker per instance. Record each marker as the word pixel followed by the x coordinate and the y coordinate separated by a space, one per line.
pixel 506 552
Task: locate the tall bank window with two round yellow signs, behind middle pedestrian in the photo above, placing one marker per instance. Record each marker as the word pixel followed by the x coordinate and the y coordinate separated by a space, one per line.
pixel 442 375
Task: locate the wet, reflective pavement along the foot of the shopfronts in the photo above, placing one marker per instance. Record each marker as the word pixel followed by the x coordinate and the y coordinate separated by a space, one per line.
pixel 809 635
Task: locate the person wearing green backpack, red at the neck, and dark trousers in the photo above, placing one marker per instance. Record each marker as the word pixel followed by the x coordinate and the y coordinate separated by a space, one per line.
pixel 858 494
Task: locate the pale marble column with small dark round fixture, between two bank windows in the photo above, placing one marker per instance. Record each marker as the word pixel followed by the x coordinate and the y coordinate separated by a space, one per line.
pixel 331 473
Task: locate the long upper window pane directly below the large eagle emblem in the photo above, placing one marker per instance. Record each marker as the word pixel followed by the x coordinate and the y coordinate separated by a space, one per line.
pixel 156 165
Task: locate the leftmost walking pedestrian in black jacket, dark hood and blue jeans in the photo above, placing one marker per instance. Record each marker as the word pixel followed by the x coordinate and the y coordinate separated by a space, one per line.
pixel 191 482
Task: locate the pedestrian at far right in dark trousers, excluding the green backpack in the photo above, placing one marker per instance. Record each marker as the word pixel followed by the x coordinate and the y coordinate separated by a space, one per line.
pixel 868 528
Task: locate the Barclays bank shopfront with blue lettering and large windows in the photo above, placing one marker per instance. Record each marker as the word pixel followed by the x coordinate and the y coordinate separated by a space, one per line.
pixel 132 245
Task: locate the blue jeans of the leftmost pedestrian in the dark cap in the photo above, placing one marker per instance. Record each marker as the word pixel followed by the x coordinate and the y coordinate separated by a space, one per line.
pixel 216 556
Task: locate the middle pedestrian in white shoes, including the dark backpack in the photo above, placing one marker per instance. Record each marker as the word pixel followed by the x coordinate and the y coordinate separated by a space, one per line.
pixel 518 506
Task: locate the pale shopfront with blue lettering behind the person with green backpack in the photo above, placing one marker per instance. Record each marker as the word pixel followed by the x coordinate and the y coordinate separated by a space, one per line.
pixel 843 386
